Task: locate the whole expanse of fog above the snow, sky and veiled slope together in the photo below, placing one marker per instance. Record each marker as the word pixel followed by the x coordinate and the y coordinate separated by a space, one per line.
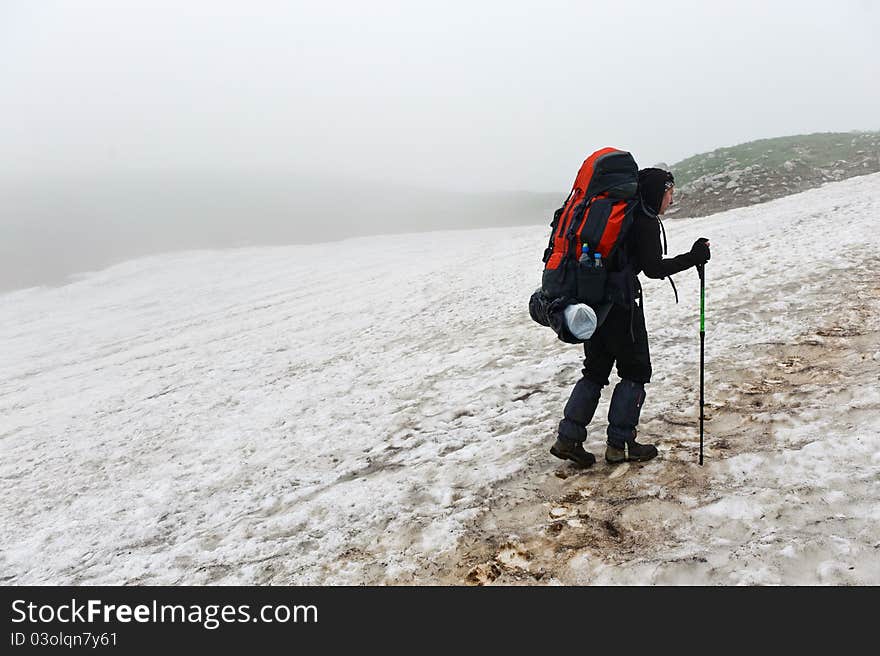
pixel 133 127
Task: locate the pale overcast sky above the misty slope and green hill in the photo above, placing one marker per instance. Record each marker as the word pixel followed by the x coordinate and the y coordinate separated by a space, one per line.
pixel 494 95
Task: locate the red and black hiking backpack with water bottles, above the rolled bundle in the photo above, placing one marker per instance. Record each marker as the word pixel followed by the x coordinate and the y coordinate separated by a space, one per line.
pixel 589 228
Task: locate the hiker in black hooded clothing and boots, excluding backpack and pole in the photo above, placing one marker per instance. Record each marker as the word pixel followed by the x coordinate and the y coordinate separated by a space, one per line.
pixel 622 337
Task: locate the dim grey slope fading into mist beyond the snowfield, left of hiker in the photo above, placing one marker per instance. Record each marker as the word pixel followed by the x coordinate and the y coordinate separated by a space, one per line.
pixel 52 228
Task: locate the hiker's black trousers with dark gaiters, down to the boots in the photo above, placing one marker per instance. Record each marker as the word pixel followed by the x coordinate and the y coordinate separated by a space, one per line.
pixel 621 339
